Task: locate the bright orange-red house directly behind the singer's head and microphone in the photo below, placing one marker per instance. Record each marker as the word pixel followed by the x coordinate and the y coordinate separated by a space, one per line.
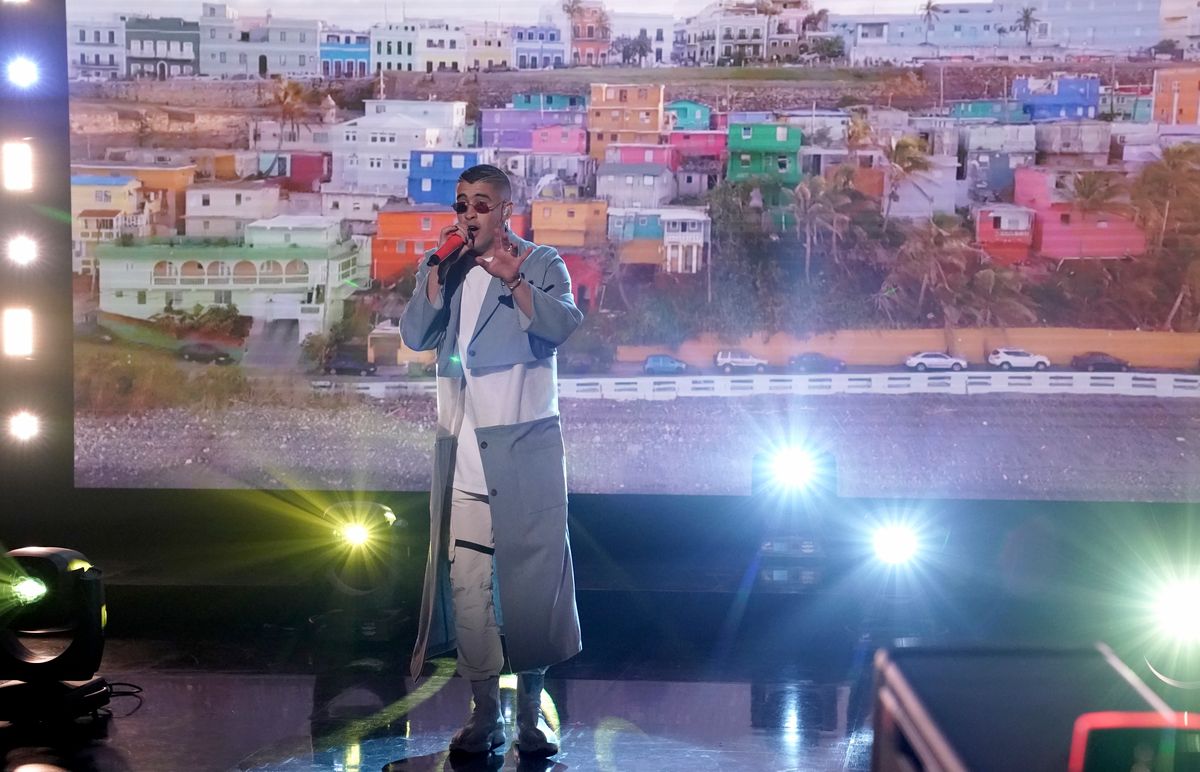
pixel 406 232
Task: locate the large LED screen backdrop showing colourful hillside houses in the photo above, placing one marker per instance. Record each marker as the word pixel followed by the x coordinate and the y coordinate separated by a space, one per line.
pixel 958 280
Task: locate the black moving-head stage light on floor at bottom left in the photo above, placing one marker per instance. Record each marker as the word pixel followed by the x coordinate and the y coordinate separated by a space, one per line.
pixel 51 594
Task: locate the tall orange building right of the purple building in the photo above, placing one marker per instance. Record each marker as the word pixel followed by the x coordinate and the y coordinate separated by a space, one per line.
pixel 628 115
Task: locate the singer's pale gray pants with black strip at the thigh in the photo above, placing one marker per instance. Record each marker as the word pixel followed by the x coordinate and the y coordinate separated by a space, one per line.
pixel 481 655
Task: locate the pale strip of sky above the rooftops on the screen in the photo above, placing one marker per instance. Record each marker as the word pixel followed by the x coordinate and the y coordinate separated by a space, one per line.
pixel 364 13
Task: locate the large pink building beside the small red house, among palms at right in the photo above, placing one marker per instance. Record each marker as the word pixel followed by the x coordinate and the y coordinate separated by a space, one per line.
pixel 1061 231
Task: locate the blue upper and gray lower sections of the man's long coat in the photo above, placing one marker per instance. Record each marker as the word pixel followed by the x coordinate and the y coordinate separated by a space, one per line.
pixel 524 465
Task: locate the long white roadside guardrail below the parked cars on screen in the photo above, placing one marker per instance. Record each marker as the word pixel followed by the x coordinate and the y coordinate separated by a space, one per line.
pixel 1162 385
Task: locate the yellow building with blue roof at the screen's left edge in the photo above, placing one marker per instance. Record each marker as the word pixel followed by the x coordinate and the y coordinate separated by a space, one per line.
pixel 103 210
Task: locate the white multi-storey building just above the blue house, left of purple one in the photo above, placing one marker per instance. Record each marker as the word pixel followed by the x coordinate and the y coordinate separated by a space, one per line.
pixel 371 154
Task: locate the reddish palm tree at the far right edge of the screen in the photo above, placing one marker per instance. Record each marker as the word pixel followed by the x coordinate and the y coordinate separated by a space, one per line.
pixel 1171 183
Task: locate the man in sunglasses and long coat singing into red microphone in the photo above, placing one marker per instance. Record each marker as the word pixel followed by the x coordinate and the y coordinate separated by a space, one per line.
pixel 495 310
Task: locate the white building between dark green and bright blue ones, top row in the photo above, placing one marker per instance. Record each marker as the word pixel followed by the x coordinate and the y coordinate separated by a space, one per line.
pixel 233 46
